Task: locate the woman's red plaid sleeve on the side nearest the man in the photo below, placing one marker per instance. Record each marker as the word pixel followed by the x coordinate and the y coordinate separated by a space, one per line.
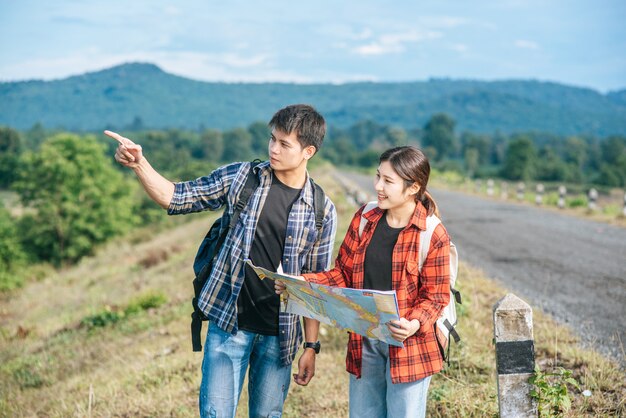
pixel 341 274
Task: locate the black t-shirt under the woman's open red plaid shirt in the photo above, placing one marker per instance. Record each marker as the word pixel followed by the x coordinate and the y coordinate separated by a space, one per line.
pixel 378 256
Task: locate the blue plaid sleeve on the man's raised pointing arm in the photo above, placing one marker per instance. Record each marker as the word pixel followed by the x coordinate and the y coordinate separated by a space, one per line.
pixel 205 193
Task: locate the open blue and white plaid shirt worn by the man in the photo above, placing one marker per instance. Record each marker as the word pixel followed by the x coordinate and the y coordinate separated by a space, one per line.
pixel 304 250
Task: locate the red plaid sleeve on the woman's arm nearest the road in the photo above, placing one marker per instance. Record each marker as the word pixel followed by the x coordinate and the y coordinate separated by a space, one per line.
pixel 434 287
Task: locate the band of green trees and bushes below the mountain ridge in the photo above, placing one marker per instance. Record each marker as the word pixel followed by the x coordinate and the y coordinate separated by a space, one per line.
pixel 72 195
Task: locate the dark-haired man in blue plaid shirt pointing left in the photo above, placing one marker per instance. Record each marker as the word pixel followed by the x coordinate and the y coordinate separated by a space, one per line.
pixel 275 230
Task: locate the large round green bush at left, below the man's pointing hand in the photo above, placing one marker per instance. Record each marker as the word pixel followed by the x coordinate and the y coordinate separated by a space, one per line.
pixel 76 198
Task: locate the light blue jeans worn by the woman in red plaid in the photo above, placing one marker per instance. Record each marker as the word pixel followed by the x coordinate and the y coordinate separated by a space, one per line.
pixel 373 395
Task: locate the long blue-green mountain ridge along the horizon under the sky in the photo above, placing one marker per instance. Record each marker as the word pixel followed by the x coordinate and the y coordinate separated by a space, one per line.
pixel 143 92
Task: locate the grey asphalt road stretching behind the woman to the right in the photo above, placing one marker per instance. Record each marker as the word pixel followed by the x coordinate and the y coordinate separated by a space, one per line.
pixel 574 269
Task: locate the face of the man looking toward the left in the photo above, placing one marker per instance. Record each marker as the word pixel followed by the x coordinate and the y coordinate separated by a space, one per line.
pixel 285 151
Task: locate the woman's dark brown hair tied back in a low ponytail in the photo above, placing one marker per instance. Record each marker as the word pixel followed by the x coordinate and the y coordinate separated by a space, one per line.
pixel 413 167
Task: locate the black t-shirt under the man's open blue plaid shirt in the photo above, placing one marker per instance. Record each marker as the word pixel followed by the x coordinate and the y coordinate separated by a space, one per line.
pixel 258 304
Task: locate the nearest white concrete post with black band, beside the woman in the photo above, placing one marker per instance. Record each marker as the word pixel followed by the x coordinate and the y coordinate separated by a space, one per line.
pixel 515 356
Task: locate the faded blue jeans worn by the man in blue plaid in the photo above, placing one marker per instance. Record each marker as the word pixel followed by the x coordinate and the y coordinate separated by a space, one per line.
pixel 226 360
